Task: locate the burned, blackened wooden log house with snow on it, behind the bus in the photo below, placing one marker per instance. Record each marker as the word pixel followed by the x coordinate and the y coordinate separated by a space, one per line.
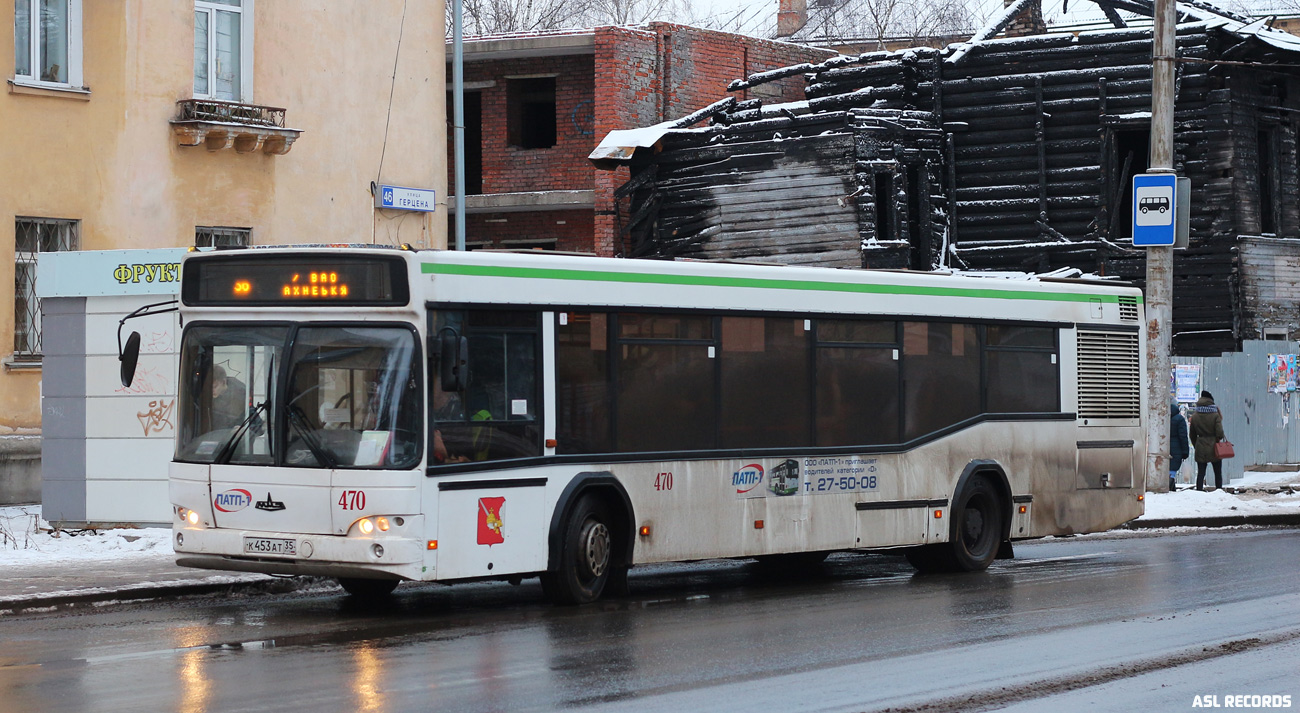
pixel 1000 154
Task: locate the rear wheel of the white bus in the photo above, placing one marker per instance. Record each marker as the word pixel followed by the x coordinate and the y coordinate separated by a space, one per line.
pixel 974 537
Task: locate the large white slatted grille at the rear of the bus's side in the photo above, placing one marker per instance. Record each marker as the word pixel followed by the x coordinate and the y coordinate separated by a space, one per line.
pixel 1110 375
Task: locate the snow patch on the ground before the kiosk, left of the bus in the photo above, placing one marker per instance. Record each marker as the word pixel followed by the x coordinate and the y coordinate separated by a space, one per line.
pixel 25 539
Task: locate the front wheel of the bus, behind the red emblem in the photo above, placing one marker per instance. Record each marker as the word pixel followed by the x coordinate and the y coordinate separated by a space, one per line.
pixel 588 559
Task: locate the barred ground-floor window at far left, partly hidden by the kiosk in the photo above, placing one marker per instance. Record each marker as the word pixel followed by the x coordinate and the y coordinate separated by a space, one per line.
pixel 34 236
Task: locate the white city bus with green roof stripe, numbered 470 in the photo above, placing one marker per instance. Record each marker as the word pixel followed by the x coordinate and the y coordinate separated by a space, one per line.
pixel 385 416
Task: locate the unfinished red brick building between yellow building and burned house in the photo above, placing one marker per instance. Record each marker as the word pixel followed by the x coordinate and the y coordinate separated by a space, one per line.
pixel 538 105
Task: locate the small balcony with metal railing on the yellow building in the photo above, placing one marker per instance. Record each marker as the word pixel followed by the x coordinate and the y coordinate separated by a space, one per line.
pixel 246 128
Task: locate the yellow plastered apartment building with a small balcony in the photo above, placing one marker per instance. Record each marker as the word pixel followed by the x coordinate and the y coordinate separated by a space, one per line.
pixel 148 124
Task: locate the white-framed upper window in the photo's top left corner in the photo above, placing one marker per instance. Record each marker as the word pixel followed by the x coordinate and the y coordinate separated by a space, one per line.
pixel 47 42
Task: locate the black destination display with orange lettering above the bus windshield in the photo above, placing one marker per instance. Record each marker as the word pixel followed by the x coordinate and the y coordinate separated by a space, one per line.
pixel 313 282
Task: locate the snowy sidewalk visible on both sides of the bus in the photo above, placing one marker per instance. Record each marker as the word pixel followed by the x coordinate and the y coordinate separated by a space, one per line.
pixel 41 569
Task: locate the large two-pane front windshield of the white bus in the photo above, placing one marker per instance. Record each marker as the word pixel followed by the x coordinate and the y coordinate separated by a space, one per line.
pixel 352 396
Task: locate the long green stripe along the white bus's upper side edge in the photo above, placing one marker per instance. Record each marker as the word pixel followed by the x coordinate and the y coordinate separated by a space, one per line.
pixel 755 283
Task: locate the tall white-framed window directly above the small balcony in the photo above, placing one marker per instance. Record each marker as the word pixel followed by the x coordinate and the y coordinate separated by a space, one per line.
pixel 223 50
